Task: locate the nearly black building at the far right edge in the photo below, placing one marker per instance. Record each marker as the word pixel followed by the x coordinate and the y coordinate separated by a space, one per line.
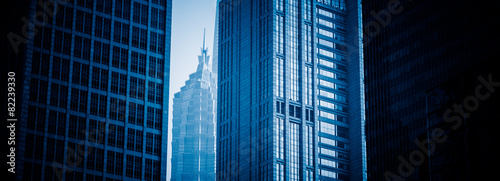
pixel 423 60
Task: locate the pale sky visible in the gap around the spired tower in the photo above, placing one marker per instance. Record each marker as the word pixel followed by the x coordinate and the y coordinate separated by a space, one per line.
pixel 189 18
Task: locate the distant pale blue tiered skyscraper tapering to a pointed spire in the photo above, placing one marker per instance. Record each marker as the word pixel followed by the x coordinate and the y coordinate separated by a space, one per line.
pixel 193 131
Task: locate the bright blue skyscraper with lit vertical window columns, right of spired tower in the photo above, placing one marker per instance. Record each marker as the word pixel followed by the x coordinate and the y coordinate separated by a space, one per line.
pixel 291 95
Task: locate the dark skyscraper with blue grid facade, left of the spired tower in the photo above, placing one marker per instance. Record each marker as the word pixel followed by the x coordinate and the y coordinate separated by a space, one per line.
pixel 94 104
